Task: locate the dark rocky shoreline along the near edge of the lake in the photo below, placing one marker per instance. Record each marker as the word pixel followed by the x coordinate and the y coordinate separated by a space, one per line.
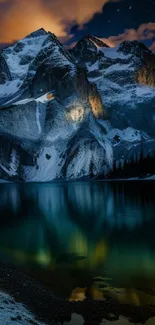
pixel 51 309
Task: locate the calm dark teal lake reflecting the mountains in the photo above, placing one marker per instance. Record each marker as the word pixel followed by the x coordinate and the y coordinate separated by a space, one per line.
pixel 93 239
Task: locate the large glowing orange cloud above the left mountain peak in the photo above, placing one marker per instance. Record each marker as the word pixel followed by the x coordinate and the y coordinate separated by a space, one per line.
pixel 24 16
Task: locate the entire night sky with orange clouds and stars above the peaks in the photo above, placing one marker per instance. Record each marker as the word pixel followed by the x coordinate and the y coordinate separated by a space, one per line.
pixel 113 21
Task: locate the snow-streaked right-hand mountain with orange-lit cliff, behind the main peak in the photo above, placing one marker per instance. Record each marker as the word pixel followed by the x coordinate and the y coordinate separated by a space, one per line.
pixel 124 77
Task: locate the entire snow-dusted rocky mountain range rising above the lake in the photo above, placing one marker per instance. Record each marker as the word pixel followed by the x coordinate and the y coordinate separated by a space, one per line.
pixel 69 113
